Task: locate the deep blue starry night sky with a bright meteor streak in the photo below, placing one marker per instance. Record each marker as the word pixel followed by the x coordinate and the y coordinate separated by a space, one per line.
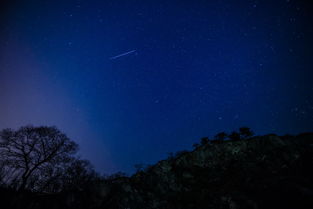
pixel 131 81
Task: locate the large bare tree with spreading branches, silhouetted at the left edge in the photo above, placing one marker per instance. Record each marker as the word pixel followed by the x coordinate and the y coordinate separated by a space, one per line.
pixel 33 155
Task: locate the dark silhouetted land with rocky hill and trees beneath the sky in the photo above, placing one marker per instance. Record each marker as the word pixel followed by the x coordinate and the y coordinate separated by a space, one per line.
pixel 231 171
